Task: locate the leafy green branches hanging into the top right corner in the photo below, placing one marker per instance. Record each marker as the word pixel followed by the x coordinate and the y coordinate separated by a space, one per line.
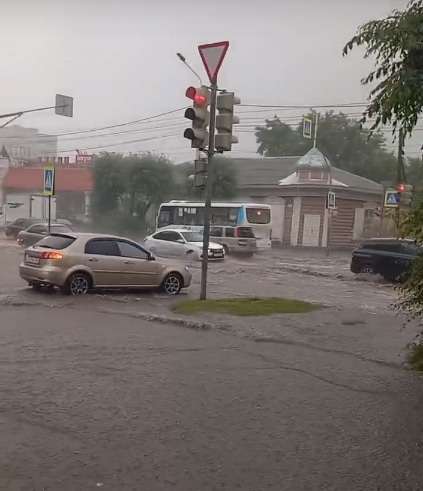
pixel 396 45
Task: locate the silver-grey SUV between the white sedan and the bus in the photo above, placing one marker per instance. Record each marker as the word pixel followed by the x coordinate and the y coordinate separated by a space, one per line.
pixel 235 240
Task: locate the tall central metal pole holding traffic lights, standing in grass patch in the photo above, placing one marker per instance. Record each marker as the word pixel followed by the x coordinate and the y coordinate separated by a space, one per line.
pixel 208 193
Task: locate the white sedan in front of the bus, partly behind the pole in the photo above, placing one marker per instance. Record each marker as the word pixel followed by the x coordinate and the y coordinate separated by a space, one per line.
pixel 182 242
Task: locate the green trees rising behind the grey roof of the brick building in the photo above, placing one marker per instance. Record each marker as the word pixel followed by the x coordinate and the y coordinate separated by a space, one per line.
pixel 340 137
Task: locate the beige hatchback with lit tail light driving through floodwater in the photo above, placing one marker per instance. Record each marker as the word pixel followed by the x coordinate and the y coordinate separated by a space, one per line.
pixel 78 263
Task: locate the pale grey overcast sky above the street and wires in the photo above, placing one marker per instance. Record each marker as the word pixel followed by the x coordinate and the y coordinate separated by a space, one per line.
pixel 117 58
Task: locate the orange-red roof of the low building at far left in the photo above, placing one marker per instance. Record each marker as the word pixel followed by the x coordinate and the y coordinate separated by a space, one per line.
pixel 31 179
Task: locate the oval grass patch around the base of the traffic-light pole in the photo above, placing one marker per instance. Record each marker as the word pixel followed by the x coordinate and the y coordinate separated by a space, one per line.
pixel 245 306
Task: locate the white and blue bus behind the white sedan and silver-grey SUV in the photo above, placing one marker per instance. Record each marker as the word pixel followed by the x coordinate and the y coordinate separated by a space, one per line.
pixel 191 213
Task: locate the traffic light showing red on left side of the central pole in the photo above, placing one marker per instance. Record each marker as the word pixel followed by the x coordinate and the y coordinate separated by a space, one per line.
pixel 199 115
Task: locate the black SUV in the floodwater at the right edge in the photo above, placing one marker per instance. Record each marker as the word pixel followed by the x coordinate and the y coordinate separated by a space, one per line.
pixel 391 258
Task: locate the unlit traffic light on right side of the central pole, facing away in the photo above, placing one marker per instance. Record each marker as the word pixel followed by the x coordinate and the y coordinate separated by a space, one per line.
pixel 225 120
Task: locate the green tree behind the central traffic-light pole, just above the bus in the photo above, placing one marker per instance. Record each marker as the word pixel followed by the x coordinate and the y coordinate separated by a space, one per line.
pixel 224 180
